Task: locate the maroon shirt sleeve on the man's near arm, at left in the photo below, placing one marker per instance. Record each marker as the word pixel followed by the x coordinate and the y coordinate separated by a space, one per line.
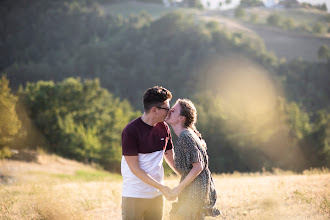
pixel 129 142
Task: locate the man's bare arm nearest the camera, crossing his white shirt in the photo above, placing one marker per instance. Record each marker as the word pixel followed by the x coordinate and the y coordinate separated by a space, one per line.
pixel 133 163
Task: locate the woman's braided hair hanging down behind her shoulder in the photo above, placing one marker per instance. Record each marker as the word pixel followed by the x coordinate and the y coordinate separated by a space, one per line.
pixel 189 111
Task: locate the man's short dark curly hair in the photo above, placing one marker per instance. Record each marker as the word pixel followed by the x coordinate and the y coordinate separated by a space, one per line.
pixel 155 96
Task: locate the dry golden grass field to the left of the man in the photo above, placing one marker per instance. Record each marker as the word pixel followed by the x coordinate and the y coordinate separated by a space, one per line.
pixel 51 187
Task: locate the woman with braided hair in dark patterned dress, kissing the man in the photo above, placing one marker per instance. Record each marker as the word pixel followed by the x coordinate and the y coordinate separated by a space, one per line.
pixel 196 191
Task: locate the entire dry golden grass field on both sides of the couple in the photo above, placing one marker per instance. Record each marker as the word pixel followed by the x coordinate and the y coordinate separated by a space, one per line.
pixel 55 188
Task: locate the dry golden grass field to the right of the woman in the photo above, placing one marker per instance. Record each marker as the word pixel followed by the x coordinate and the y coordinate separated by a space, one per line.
pixel 274 197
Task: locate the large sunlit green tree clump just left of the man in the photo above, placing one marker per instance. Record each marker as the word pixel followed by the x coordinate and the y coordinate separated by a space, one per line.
pixel 80 120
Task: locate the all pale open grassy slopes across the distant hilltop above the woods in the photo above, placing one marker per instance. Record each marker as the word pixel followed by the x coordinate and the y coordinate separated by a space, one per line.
pixel 285 44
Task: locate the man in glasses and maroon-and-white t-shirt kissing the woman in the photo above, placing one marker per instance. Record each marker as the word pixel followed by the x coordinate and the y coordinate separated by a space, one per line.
pixel 145 141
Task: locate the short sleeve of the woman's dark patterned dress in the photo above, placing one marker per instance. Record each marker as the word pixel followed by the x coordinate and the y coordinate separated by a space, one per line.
pixel 191 151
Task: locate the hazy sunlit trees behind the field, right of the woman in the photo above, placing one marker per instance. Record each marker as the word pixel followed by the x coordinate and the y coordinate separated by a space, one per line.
pixel 274 141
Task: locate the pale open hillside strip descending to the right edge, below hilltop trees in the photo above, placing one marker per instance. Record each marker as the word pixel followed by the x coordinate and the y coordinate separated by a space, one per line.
pixel 285 44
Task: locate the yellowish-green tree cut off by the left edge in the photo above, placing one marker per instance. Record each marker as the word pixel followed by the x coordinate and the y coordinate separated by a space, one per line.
pixel 9 122
